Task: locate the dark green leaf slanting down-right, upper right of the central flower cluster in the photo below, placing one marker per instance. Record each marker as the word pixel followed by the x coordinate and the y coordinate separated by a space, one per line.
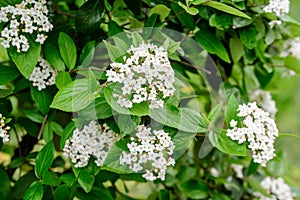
pixel 212 44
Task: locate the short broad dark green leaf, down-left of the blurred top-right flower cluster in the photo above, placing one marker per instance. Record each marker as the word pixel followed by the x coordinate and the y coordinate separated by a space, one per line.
pixel 248 36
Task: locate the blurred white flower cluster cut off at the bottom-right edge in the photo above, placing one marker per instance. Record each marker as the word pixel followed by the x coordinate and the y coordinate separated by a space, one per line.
pixel 277 188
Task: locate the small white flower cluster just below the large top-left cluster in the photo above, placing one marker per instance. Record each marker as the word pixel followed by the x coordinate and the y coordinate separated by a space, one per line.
pixel 43 75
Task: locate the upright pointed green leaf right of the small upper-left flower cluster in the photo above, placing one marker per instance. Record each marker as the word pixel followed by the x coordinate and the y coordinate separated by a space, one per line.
pixel 67 50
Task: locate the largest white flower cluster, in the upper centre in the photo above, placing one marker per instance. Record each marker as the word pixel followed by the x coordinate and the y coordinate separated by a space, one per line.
pixel 146 75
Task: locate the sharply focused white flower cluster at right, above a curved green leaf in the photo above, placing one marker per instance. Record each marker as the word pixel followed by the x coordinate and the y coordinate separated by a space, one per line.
pixel 259 130
